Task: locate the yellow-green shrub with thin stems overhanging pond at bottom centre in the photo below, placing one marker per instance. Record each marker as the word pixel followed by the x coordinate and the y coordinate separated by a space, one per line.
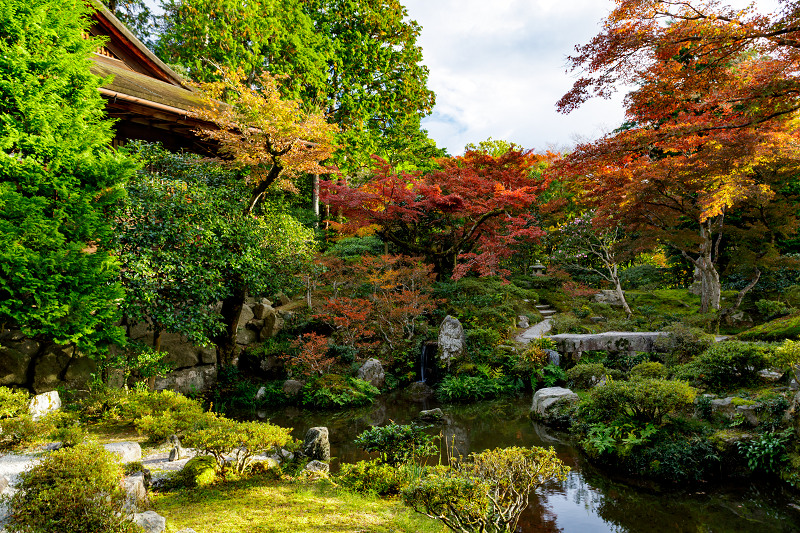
pixel 488 491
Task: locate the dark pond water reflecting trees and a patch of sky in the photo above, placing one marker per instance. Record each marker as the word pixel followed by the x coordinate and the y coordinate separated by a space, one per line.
pixel 589 500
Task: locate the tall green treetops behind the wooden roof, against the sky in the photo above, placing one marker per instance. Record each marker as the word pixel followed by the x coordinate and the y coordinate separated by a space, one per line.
pixel 355 60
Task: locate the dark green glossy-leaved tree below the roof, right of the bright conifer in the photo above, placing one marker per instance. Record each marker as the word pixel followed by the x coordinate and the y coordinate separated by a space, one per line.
pixel 186 242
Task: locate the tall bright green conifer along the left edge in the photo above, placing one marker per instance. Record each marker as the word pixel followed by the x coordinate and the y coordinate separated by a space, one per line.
pixel 58 176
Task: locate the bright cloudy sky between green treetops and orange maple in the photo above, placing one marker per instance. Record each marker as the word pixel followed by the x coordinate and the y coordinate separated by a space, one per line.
pixel 498 68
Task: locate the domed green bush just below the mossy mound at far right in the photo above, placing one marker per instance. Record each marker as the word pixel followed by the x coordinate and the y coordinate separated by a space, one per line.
pixel 728 365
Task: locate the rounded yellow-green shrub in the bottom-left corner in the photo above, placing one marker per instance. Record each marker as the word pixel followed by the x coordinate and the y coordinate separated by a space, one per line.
pixel 73 489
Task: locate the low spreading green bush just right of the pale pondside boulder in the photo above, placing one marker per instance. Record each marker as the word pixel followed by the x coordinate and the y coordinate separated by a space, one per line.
pixel 644 400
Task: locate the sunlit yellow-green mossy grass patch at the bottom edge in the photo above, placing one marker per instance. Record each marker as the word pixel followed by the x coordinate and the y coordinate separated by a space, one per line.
pixel 262 505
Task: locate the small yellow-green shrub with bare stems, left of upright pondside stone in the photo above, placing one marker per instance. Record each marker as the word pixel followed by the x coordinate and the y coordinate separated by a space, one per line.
pixel 241 440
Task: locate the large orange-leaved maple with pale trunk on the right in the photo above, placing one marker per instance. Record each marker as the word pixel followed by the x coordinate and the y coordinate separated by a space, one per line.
pixel 707 134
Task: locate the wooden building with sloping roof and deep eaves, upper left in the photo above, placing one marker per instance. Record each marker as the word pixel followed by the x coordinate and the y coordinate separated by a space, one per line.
pixel 150 101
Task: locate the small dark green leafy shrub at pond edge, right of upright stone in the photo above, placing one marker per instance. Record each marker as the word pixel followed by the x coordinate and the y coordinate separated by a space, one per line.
pixel 397 444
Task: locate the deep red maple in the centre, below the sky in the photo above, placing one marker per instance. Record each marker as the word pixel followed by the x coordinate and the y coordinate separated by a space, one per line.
pixel 464 217
